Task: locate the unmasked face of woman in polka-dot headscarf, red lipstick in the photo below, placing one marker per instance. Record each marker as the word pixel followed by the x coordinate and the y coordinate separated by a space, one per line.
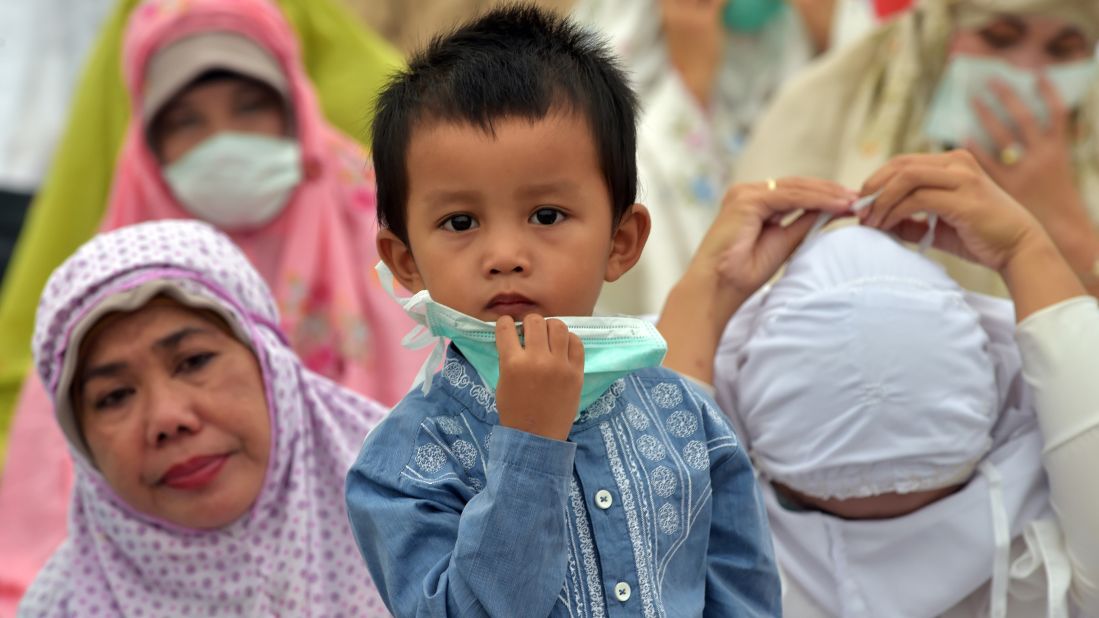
pixel 174 413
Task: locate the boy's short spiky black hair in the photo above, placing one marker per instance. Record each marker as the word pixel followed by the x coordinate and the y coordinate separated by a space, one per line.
pixel 514 62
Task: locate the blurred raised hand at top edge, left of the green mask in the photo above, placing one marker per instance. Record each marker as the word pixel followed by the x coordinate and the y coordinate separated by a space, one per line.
pixel 694 36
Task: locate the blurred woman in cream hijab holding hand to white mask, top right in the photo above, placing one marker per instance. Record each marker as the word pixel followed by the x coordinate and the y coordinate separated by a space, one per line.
pixel 911 87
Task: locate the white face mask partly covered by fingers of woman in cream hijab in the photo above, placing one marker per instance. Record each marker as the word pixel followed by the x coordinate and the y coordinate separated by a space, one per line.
pixel 952 119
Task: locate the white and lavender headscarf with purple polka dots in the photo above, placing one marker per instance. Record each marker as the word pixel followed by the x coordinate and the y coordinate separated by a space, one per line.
pixel 293 555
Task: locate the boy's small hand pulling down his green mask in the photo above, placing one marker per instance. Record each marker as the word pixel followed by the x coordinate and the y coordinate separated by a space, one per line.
pixel 540 380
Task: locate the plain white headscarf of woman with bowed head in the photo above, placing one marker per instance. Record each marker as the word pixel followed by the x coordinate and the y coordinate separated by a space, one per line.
pixel 865 370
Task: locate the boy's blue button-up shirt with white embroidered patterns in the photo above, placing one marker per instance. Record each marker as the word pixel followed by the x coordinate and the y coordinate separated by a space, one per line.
pixel 649 510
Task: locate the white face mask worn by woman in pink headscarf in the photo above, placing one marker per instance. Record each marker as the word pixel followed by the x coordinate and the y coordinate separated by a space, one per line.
pixel 237 181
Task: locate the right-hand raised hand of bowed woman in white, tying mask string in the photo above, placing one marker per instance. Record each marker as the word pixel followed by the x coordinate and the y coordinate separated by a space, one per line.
pixel 978 220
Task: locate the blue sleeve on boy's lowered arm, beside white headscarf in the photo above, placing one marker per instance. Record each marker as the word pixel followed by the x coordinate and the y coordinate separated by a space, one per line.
pixel 742 576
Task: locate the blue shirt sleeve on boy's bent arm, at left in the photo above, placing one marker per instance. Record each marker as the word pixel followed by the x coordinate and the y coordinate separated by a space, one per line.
pixel 438 549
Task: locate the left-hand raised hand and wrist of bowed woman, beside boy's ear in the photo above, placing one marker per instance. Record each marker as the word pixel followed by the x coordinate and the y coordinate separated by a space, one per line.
pixel 745 248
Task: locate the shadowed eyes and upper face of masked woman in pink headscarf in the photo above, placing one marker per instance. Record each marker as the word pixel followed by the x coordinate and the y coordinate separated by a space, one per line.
pixel 212 106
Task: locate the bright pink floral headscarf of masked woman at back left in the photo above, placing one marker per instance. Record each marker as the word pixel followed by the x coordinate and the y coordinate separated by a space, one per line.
pixel 319 255
